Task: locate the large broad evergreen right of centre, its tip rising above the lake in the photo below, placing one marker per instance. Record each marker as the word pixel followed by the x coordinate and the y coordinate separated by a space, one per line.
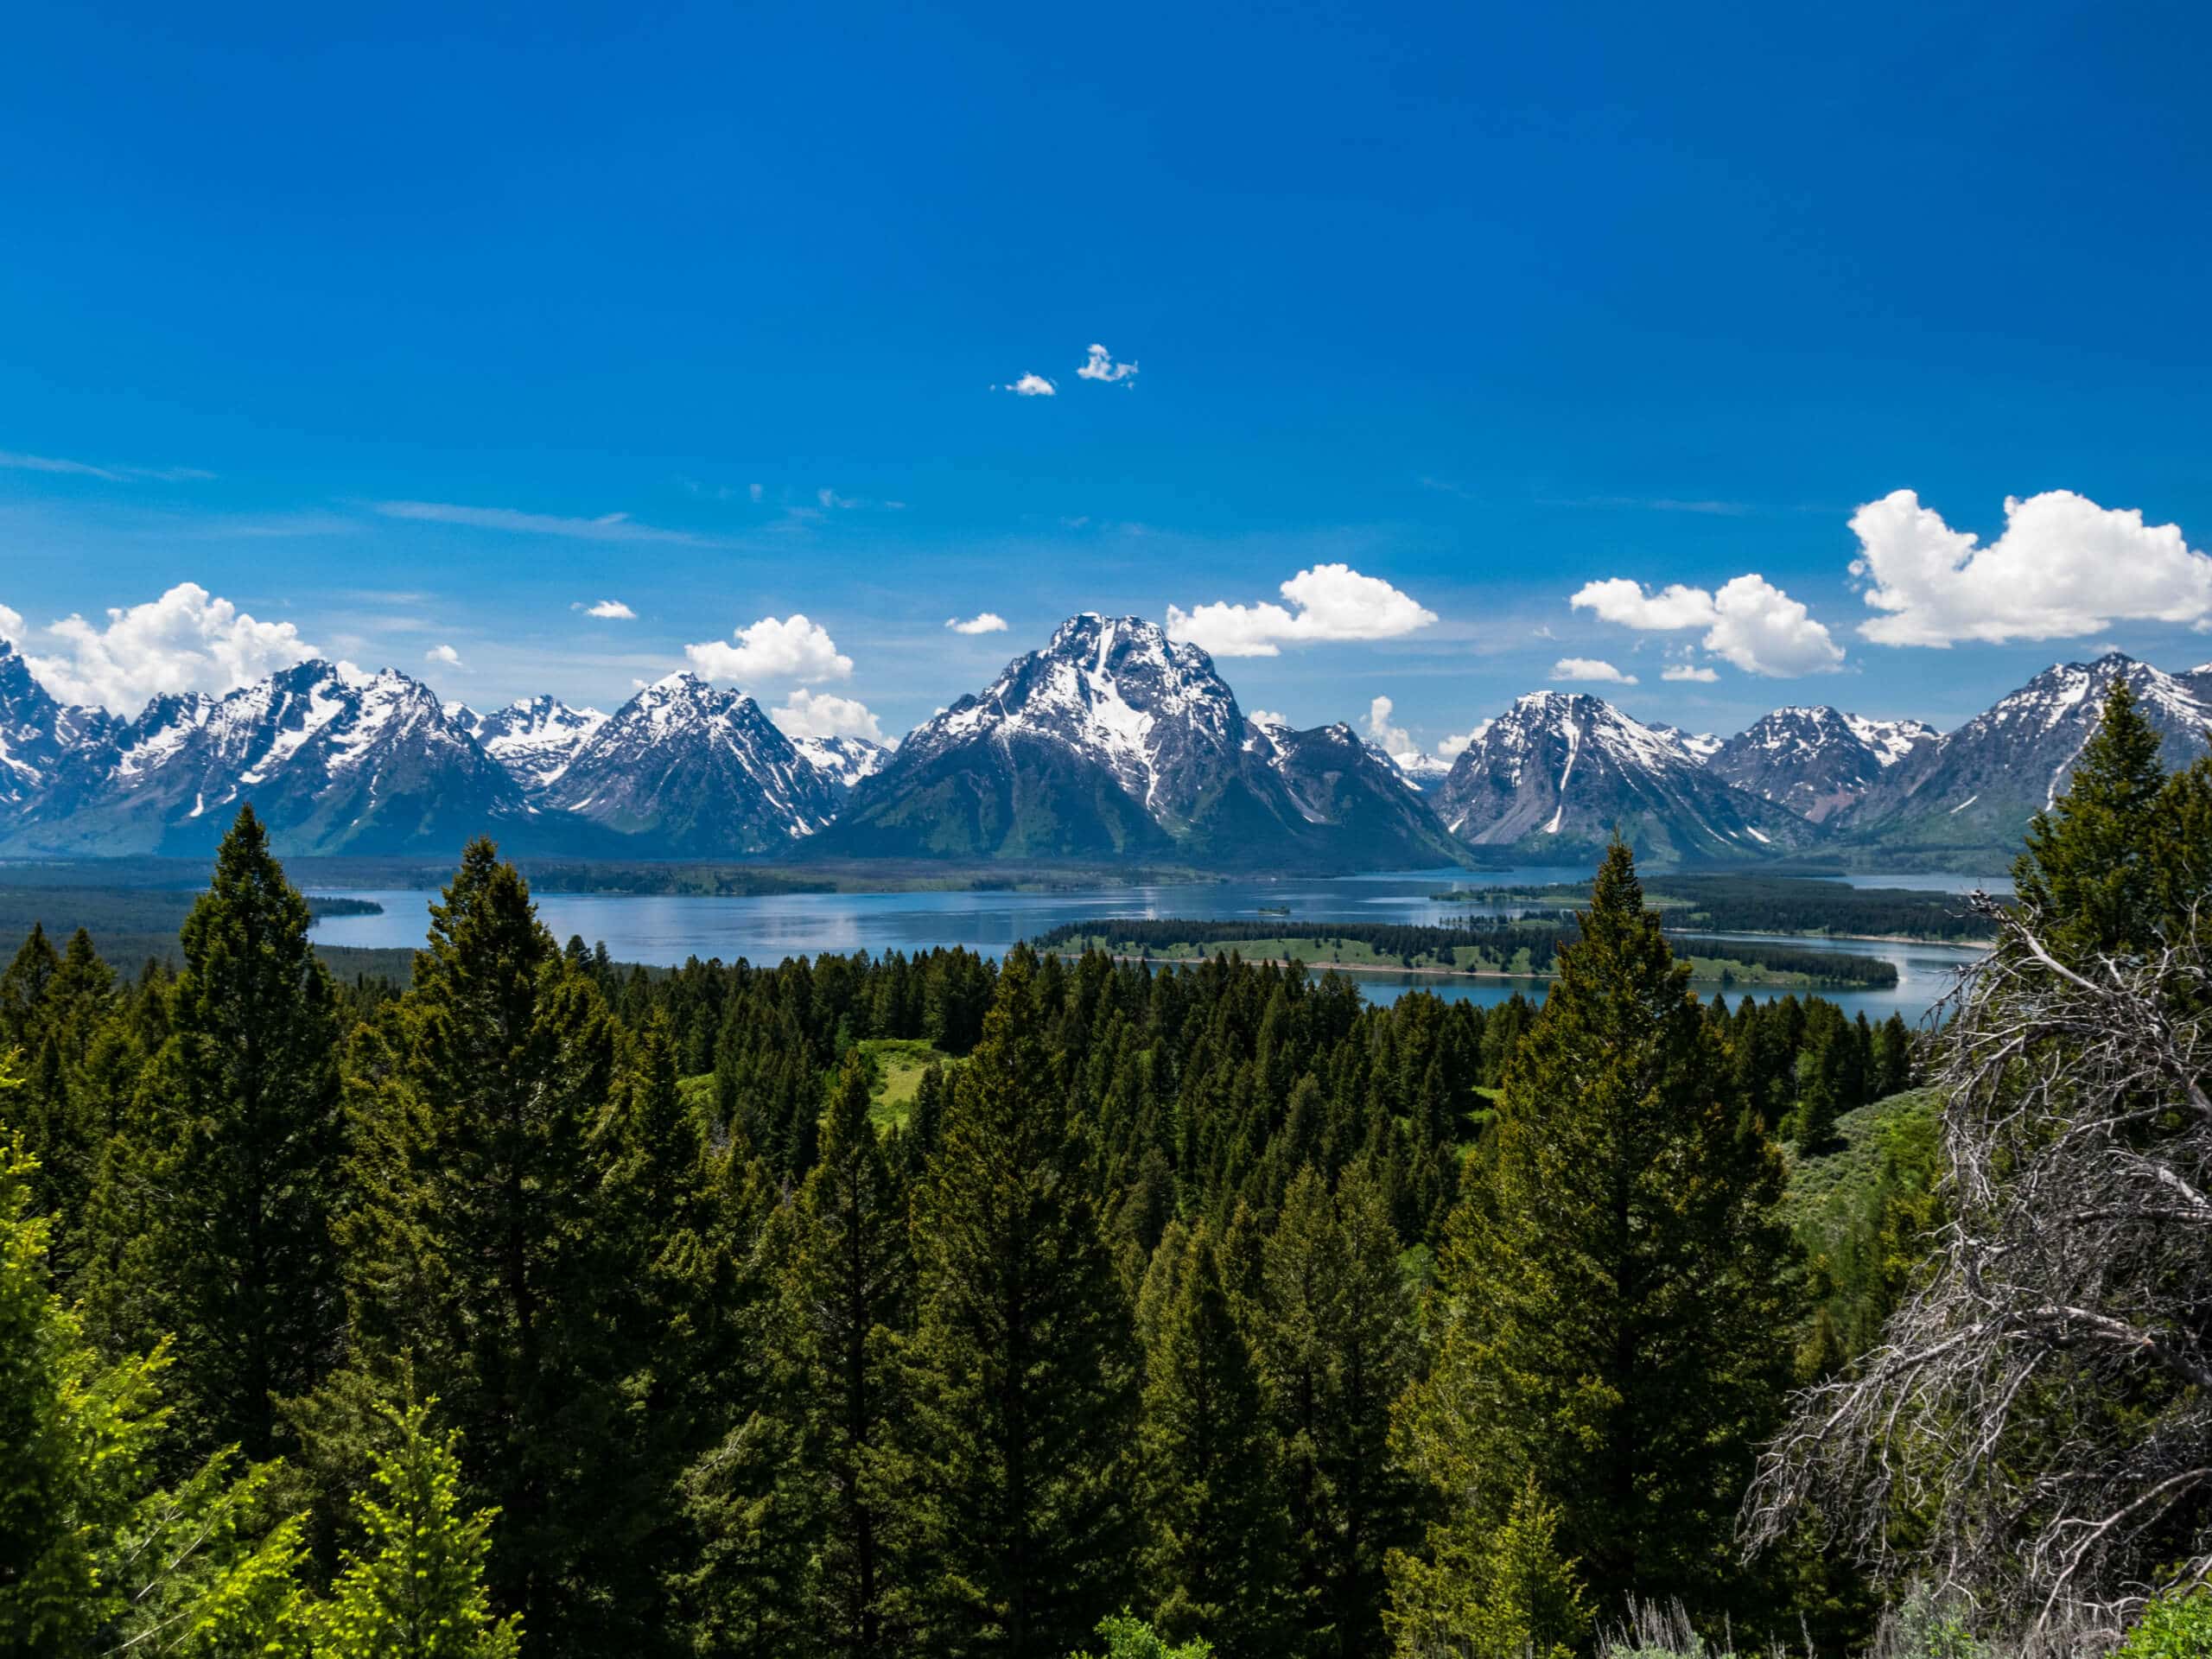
pixel 1618 1291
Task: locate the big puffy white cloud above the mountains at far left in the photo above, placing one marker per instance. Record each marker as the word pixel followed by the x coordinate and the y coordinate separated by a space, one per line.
pixel 187 640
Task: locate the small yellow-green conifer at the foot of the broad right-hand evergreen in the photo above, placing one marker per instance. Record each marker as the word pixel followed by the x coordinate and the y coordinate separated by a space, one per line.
pixel 1490 1594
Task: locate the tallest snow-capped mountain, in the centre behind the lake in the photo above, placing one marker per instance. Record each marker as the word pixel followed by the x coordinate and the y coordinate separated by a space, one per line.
pixel 1120 742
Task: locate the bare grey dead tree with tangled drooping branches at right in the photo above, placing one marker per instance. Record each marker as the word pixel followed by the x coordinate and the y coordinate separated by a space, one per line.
pixel 2034 1432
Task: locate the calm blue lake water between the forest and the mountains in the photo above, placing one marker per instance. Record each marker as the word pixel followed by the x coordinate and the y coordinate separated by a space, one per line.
pixel 667 930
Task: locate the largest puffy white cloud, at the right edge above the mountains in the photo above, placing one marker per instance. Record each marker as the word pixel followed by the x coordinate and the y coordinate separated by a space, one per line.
pixel 2063 567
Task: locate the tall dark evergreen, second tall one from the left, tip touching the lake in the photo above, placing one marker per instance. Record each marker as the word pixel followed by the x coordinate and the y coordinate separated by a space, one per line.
pixel 477 1244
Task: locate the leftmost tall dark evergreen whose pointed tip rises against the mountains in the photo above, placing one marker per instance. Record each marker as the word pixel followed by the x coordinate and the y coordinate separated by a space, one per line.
pixel 244 1109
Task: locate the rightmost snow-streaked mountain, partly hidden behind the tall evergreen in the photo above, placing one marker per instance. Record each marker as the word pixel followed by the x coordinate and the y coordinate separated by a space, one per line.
pixel 1976 789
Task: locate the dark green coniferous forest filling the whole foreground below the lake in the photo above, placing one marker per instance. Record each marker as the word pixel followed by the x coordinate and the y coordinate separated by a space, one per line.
pixel 545 1306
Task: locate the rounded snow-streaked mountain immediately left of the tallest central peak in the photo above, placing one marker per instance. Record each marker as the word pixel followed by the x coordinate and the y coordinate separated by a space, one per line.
pixel 693 769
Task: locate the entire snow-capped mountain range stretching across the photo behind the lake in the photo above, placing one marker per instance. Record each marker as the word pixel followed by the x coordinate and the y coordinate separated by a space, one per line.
pixel 1112 742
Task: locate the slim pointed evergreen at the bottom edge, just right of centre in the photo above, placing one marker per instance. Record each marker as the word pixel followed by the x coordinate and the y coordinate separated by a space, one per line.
pixel 1213 1503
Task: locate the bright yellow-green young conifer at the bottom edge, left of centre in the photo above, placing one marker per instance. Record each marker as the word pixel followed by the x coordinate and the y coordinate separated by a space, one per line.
pixel 417 1585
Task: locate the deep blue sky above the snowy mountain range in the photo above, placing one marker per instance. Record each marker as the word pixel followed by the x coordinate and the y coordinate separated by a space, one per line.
pixel 366 324
